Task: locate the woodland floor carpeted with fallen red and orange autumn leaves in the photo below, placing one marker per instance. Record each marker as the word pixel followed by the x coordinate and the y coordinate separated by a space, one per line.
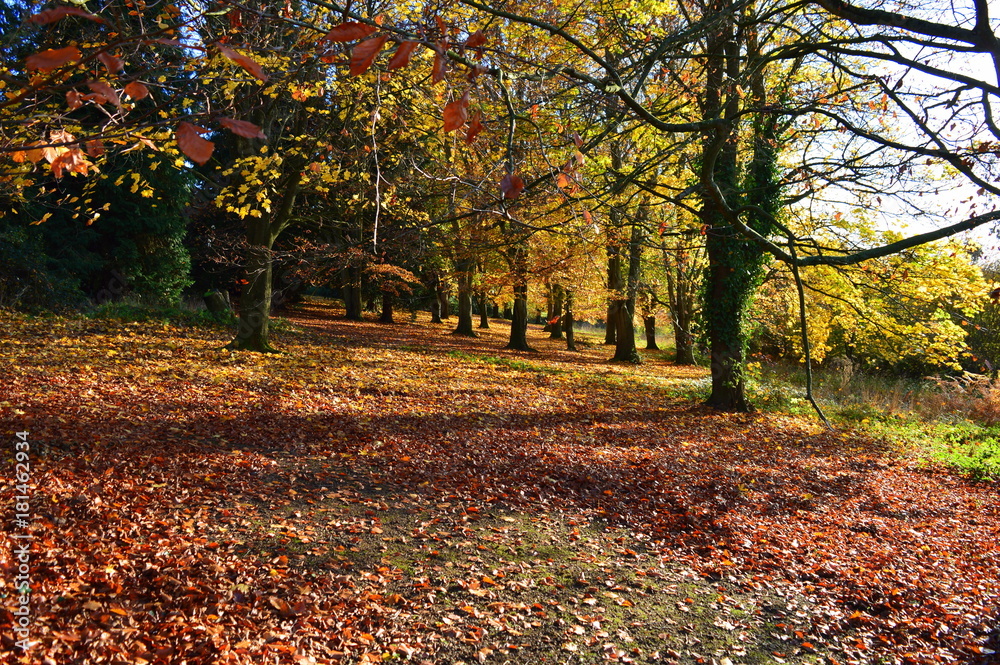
pixel 398 494
